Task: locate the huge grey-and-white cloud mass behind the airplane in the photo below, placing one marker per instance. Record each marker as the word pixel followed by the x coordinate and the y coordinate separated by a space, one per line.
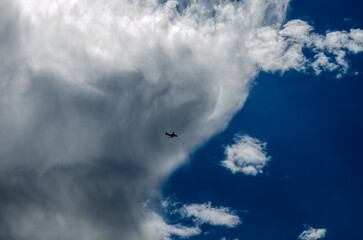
pixel 89 87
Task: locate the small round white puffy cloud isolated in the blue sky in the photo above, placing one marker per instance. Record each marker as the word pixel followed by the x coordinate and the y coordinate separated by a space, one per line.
pixel 247 155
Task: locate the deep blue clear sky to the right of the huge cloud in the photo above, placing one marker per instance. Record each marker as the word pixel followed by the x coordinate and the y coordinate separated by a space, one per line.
pixel 313 127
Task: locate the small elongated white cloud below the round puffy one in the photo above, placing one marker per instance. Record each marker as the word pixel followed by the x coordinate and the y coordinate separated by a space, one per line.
pixel 205 213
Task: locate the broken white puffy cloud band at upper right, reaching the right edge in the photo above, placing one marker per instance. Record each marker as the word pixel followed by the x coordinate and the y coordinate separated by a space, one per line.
pixel 275 49
